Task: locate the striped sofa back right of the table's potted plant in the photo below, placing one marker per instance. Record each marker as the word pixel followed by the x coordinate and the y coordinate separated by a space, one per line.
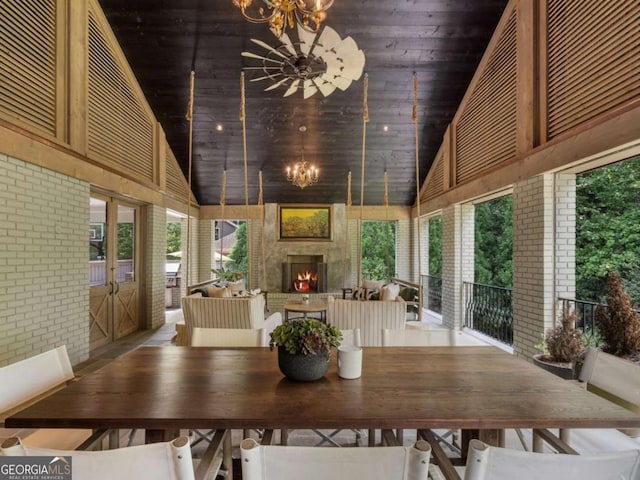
pixel 370 317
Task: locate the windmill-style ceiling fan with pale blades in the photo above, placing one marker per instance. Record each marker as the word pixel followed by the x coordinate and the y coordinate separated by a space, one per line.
pixel 316 62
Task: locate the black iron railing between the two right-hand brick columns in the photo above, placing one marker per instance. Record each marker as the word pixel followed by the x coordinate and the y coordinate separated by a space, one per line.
pixel 489 310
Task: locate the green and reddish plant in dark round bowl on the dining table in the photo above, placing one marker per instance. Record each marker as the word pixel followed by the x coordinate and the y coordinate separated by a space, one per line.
pixel 304 348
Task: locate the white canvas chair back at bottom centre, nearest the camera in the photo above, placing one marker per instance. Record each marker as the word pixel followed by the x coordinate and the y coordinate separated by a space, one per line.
pixel 266 462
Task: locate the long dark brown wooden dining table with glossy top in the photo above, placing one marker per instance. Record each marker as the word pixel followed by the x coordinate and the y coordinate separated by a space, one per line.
pixel 163 389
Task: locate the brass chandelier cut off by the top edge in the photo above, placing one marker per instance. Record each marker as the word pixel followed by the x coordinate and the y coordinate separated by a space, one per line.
pixel 283 14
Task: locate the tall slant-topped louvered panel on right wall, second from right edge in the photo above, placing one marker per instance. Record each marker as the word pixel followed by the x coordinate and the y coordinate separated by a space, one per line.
pixel 486 129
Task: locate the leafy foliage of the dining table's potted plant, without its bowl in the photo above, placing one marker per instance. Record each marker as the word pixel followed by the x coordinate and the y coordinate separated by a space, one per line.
pixel 306 336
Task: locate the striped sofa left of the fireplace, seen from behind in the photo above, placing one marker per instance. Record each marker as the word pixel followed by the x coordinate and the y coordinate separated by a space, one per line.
pixel 226 312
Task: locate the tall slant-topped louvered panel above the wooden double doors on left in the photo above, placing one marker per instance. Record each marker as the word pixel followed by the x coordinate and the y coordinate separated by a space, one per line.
pixel 120 130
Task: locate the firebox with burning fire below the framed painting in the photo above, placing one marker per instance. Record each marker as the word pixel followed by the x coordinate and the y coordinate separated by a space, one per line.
pixel 304 274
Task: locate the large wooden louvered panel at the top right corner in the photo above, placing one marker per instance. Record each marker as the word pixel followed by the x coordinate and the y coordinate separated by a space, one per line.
pixel 593 59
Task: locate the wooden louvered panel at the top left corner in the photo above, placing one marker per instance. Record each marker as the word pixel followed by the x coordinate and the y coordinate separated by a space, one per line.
pixel 28 62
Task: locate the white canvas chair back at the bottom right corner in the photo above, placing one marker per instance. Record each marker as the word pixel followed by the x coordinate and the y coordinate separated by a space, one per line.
pixel 493 463
